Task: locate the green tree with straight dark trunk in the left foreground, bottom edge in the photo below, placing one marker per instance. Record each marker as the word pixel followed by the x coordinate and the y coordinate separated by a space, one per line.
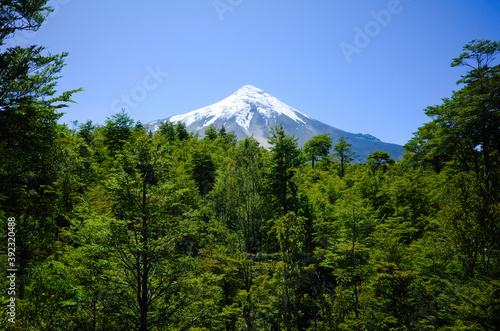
pixel 152 280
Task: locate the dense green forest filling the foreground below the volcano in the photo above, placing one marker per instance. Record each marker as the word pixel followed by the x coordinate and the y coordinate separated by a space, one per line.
pixel 119 229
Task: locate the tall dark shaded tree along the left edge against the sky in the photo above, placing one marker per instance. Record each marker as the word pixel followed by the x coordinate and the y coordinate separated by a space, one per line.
pixel 29 110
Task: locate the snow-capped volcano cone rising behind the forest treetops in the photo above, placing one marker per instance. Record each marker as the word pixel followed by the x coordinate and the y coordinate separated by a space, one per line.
pixel 252 112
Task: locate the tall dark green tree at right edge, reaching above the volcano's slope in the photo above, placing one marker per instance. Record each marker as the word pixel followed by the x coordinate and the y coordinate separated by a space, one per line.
pixel 464 132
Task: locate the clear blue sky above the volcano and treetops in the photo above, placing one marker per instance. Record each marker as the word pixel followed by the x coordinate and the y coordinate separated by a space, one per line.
pixel 309 54
